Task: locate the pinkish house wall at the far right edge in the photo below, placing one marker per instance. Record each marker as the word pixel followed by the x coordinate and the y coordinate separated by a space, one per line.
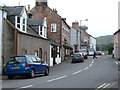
pixel 117 44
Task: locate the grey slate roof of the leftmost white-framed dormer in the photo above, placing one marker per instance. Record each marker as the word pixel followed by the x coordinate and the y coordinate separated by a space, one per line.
pixel 13 10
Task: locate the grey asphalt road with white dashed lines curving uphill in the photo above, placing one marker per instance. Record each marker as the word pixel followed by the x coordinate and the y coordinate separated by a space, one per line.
pixel 92 73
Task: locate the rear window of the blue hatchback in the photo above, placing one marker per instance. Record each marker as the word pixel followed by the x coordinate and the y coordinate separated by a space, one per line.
pixel 16 60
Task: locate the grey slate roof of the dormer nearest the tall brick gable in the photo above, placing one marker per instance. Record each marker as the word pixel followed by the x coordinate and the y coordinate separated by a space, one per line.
pixel 35 21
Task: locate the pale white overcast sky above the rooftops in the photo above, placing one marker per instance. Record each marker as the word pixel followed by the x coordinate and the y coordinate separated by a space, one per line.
pixel 102 15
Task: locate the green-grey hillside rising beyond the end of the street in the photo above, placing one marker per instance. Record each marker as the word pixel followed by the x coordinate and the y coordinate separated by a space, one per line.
pixel 104 40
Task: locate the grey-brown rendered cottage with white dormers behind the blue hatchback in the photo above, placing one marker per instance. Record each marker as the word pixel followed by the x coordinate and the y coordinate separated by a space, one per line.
pixel 19 38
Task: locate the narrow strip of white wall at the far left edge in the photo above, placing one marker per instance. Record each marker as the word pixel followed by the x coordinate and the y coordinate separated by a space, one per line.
pixel 0 39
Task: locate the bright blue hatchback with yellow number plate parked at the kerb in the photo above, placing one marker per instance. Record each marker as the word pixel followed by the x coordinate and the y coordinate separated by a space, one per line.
pixel 28 65
